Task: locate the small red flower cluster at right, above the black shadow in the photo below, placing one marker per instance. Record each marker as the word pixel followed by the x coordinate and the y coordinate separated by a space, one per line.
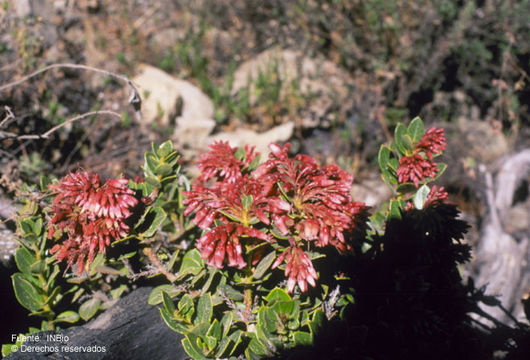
pixel 419 165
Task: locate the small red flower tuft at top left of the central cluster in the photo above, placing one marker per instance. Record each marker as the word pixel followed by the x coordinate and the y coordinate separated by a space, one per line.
pixel 222 163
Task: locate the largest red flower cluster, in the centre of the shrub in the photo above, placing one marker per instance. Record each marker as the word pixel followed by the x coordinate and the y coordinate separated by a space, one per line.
pixel 283 197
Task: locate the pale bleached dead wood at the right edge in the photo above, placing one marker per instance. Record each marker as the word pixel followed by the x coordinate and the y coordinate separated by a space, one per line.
pixel 502 256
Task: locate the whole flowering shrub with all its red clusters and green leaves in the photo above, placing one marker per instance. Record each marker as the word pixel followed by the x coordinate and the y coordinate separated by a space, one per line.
pixel 244 246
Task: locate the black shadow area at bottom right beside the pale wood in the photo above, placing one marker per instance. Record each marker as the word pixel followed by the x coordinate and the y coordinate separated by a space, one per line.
pixel 410 301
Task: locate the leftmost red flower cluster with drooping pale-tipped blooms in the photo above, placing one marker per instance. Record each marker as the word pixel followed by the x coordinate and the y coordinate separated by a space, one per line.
pixel 90 214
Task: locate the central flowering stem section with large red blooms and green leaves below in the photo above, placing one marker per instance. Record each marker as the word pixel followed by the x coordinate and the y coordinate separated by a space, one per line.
pixel 257 218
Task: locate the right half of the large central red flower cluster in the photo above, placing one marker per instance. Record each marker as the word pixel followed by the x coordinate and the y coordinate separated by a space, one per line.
pixel 322 205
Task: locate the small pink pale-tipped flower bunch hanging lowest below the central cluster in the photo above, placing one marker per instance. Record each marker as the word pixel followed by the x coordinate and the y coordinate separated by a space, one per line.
pixel 298 268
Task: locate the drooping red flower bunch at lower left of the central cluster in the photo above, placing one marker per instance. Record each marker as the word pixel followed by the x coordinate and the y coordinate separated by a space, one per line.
pixel 225 240
